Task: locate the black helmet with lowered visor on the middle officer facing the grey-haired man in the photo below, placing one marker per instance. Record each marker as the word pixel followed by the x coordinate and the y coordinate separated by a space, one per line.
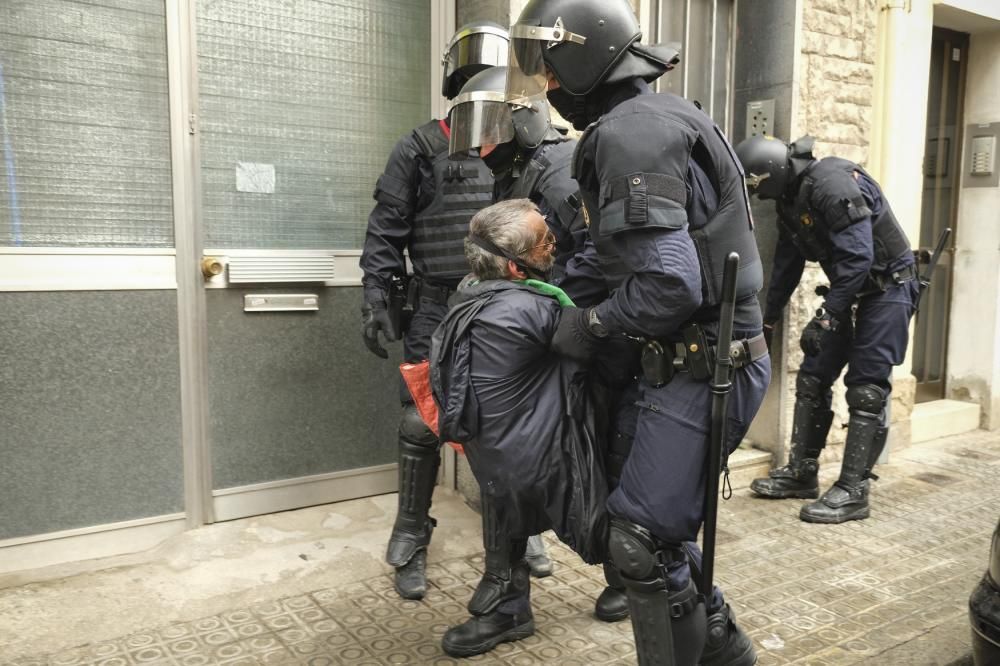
pixel 480 115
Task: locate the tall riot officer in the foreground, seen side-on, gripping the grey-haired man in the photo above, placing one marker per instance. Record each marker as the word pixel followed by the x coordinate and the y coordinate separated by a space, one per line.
pixel 665 198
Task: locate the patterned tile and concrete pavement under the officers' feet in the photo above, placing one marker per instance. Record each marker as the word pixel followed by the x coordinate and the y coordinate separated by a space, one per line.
pixel 308 587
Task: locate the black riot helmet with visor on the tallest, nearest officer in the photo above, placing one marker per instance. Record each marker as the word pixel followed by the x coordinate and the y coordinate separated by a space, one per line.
pixel 583 43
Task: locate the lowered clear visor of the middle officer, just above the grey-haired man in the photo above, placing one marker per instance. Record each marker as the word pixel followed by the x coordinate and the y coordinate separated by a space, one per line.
pixel 477 119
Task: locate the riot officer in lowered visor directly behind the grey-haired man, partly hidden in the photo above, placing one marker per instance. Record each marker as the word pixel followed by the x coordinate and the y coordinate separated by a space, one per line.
pixel 531 160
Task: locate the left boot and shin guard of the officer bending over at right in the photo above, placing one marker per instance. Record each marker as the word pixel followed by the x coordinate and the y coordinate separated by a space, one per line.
pixel 810 426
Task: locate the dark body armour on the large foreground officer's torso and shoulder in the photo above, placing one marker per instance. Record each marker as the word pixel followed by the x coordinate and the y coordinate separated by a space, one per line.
pixel 646 197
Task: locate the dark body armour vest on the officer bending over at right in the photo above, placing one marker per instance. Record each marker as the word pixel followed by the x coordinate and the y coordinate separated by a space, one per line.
pixel 828 201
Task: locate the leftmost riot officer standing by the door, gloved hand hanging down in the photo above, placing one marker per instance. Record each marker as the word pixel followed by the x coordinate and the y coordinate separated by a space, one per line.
pixel 423 204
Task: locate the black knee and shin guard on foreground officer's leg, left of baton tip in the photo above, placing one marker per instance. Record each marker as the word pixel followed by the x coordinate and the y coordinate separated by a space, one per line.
pixel 669 625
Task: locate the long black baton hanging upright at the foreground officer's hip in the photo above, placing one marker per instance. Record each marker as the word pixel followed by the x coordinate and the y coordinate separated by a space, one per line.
pixel 721 385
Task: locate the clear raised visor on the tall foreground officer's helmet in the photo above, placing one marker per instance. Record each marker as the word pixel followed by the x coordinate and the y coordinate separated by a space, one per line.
pixel 526 71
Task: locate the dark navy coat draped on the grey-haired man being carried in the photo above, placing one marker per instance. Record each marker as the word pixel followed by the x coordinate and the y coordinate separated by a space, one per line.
pixel 526 417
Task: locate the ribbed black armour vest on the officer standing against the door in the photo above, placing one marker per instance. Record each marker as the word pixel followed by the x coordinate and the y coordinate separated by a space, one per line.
pixel 440 227
